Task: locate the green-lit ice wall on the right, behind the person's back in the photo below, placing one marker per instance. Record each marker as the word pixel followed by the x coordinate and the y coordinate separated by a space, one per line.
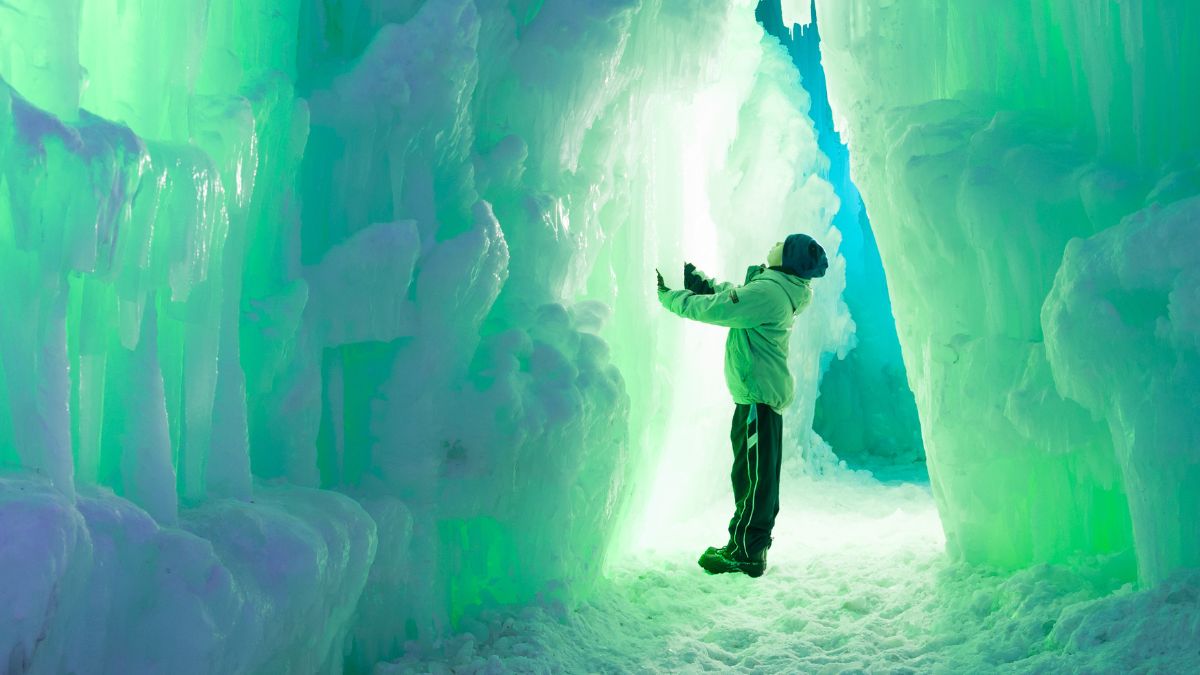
pixel 1028 169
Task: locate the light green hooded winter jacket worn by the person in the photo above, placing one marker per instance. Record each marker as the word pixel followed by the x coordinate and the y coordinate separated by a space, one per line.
pixel 760 316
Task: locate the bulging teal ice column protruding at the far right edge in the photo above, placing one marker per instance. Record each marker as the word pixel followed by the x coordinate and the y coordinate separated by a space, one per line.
pixel 1138 284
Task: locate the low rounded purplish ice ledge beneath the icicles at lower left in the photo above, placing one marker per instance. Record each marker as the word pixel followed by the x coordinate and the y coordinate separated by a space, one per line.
pixel 237 587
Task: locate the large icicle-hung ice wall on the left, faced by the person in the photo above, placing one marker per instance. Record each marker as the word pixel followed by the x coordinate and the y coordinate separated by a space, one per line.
pixel 323 326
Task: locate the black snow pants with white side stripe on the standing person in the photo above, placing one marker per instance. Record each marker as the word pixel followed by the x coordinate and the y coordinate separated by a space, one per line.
pixel 758 447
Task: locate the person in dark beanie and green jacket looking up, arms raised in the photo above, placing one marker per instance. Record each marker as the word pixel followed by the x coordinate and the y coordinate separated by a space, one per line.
pixel 759 315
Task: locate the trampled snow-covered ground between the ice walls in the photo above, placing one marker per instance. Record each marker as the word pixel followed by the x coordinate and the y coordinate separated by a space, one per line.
pixel 859 583
